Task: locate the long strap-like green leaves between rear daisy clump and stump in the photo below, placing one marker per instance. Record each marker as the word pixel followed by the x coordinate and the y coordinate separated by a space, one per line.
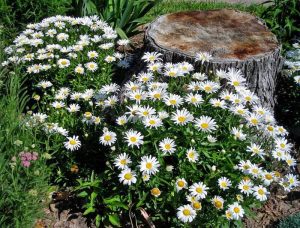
pixel 123 15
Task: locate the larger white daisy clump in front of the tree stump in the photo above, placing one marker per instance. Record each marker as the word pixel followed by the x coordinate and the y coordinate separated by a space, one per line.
pixel 225 149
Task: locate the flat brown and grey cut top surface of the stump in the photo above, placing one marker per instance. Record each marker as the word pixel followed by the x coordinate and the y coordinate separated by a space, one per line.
pixel 226 34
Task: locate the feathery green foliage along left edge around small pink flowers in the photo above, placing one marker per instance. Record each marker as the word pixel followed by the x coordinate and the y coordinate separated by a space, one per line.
pixel 22 188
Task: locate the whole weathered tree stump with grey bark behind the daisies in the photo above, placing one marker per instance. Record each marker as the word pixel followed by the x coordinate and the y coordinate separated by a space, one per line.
pixel 234 39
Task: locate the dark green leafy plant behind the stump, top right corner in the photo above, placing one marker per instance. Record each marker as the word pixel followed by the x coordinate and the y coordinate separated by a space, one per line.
pixel 283 17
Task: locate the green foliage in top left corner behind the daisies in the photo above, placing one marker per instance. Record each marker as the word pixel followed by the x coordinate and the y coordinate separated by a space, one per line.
pixel 17 13
